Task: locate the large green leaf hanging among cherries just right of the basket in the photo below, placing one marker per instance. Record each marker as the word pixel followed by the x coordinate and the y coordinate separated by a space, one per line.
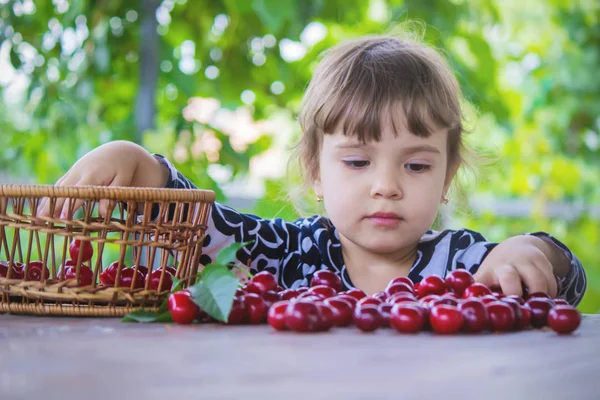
pixel 215 291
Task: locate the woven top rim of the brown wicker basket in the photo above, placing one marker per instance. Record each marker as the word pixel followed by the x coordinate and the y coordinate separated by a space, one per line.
pixel 119 193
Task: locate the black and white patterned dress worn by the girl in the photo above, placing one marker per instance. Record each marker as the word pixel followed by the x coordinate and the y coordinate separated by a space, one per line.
pixel 293 251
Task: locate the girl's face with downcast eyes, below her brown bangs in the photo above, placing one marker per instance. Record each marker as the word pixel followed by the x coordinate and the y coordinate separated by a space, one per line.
pixel 383 196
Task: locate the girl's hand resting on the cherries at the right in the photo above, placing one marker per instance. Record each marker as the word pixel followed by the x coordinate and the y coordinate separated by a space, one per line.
pixel 520 259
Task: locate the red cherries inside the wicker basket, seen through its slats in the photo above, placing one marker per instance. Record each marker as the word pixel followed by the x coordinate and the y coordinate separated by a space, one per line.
pixel 37 271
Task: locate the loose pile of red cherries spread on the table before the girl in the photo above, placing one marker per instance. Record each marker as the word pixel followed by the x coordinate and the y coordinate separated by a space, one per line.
pixel 444 306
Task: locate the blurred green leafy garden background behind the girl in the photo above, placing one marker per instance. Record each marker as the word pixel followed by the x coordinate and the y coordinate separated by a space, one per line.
pixel 215 86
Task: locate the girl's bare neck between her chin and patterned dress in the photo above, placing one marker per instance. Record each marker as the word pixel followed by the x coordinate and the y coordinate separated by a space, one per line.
pixel 370 271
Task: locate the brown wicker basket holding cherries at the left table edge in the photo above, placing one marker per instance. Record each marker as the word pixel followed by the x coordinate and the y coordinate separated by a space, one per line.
pixel 143 227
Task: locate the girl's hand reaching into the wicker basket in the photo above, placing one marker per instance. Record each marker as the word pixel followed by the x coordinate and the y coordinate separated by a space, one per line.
pixel 117 163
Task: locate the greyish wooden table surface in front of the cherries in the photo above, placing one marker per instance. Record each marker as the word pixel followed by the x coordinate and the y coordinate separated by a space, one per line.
pixel 69 358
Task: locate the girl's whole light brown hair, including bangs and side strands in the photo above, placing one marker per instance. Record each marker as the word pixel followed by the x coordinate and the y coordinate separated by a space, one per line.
pixel 365 83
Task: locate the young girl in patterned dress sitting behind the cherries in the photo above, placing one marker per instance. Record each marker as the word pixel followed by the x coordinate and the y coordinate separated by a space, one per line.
pixel 381 144
